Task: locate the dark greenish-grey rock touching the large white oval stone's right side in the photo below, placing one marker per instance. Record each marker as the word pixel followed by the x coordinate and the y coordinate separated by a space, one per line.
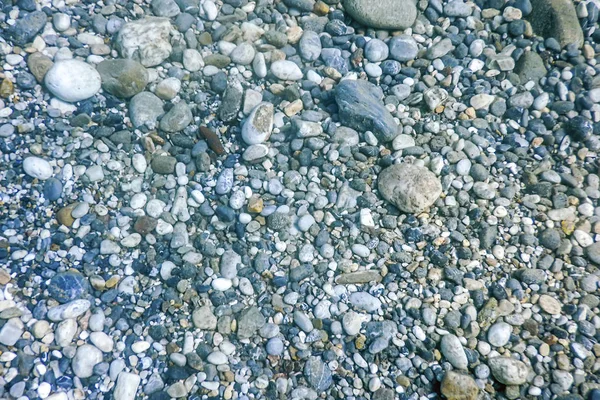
pixel 123 78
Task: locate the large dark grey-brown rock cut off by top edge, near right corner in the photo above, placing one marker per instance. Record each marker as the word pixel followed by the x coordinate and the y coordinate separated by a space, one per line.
pixel 557 19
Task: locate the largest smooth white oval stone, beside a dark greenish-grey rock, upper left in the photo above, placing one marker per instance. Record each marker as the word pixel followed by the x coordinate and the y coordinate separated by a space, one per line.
pixel 73 80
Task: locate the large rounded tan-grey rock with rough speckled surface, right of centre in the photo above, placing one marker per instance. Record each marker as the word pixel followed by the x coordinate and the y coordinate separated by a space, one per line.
pixel 409 187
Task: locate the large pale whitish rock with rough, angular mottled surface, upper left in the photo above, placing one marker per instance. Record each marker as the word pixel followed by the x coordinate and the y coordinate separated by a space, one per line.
pixel 146 40
